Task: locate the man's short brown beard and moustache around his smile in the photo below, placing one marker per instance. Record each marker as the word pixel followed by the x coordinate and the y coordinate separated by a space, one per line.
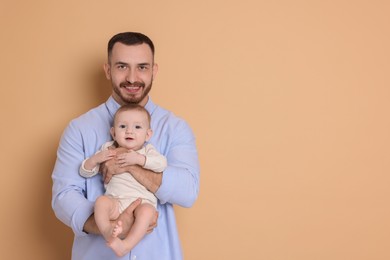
pixel 129 98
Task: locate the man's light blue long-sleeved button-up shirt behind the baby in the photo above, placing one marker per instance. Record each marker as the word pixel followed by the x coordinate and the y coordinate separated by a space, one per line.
pixel 74 196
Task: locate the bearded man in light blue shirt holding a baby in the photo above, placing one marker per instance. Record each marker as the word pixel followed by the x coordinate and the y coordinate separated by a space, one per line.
pixel 131 70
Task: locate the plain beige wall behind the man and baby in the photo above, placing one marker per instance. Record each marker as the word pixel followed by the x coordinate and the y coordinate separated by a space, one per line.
pixel 289 101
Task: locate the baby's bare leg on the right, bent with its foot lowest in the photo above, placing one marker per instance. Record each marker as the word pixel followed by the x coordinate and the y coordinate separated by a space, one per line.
pixel 144 215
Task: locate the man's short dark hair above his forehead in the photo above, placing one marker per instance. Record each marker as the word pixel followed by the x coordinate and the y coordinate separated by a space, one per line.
pixel 129 38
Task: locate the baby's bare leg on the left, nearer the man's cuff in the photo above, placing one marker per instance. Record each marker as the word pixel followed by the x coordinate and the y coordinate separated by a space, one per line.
pixel 106 209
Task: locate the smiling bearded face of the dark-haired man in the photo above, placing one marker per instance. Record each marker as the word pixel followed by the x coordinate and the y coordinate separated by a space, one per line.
pixel 131 70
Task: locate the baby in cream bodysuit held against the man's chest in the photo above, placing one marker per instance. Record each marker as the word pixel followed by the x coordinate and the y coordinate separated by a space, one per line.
pixel 131 130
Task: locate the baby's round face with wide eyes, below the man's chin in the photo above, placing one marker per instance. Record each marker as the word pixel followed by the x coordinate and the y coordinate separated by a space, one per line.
pixel 131 129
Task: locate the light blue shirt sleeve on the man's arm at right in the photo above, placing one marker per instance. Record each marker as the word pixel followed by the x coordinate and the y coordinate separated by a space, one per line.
pixel 180 182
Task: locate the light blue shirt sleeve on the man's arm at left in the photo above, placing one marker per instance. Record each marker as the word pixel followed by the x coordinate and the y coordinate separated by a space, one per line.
pixel 69 188
